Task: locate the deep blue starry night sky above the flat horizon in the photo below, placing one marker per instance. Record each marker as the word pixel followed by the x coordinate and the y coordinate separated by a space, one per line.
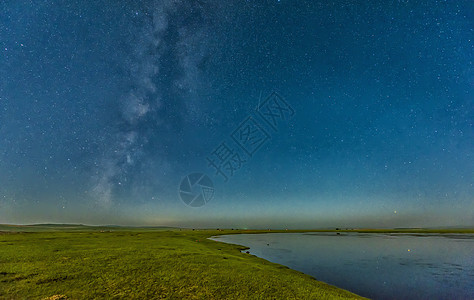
pixel 105 106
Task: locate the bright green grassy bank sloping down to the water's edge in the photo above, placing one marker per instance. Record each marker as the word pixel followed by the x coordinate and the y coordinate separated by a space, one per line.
pixel 85 263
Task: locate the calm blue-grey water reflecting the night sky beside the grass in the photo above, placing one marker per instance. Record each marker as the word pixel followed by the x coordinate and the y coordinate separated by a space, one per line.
pixel 378 266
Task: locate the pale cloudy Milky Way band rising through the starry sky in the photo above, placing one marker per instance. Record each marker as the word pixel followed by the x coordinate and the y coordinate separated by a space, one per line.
pixel 162 38
